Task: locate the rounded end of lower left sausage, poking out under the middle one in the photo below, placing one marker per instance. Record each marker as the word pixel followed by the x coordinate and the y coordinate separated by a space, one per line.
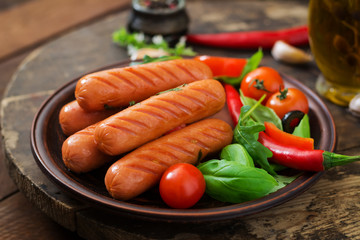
pixel 80 154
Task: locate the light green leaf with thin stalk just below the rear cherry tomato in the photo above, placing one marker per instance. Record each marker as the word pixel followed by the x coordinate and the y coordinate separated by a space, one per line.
pixel 262 113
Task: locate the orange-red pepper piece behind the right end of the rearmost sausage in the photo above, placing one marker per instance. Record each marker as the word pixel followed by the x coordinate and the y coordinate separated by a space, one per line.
pixel 223 66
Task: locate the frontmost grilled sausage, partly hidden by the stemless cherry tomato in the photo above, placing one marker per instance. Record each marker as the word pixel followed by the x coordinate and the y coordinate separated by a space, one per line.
pixel 142 169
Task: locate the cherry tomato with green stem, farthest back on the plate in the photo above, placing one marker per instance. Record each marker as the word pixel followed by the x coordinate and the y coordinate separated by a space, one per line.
pixel 263 80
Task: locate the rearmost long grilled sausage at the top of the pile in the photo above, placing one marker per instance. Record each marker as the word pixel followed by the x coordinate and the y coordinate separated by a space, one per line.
pixel 117 87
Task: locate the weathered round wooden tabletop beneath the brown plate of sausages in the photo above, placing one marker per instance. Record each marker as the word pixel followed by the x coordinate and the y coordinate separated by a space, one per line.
pixel 328 210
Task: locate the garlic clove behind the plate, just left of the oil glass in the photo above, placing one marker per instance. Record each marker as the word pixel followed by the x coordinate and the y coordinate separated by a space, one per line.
pixel 287 53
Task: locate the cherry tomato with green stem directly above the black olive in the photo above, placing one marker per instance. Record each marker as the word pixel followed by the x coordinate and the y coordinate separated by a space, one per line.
pixel 289 99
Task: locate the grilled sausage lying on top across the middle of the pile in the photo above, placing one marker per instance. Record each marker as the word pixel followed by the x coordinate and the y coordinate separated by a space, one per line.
pixel 157 115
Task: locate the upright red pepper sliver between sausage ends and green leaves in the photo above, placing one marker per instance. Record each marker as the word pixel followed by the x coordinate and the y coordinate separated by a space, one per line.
pixel 233 102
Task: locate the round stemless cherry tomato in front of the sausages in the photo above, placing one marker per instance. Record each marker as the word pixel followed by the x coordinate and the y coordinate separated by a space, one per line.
pixel 182 185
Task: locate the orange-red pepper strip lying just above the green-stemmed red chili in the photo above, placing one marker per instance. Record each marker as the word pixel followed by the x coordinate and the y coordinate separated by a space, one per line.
pixel 287 138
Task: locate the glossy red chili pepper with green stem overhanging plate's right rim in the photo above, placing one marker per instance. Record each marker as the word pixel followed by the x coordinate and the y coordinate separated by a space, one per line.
pixel 306 160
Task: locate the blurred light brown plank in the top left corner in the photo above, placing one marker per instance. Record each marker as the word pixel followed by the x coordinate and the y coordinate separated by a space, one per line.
pixel 24 25
